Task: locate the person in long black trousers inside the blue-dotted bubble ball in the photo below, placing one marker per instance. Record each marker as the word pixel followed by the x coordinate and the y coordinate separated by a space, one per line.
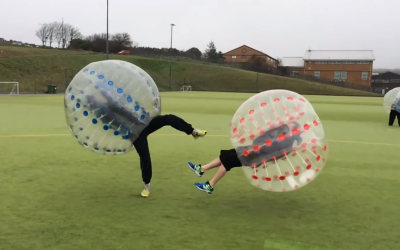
pixel 119 113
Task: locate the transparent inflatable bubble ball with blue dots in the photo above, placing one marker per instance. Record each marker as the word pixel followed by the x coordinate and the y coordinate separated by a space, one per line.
pixel 108 103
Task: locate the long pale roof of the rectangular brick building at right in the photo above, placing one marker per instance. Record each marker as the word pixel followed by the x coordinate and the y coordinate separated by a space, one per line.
pixel 339 55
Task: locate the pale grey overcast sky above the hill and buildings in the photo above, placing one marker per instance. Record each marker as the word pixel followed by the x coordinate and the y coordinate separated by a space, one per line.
pixel 276 27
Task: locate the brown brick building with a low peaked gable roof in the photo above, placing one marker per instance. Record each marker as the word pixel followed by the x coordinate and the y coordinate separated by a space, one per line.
pixel 244 53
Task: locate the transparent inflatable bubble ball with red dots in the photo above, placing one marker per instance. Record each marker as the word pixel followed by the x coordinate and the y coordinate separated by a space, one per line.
pixel 280 140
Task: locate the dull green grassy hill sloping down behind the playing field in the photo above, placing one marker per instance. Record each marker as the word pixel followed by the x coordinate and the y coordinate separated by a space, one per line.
pixel 35 68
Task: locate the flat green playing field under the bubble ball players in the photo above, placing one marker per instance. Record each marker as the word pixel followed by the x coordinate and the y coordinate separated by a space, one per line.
pixel 56 195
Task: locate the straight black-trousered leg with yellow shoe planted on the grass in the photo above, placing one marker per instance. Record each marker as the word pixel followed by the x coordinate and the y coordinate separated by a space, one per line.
pixel 142 148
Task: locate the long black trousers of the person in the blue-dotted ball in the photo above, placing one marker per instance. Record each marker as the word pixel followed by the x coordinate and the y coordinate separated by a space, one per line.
pixel 142 146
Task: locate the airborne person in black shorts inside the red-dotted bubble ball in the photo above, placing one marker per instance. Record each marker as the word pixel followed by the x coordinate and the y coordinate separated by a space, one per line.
pixel 229 159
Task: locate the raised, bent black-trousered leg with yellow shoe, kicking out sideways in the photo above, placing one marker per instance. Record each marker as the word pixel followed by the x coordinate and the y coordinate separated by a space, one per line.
pixel 175 122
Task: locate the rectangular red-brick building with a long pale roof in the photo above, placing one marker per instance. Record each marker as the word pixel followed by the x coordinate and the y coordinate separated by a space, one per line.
pixel 352 66
